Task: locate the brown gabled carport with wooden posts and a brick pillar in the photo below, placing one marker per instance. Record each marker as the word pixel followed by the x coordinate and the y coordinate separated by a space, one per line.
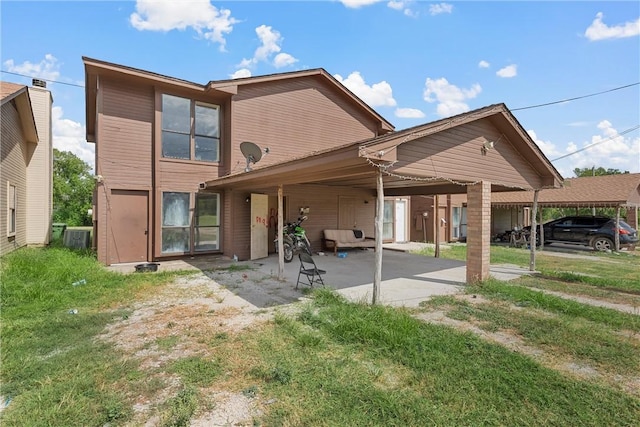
pixel 477 153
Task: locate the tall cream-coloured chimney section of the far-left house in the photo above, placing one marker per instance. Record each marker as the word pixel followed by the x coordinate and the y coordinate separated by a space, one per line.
pixel 40 171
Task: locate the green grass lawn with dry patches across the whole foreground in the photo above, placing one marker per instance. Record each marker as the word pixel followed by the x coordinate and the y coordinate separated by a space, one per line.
pixel 333 363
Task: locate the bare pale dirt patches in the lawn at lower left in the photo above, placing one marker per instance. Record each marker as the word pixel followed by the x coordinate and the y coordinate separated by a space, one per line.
pixel 188 314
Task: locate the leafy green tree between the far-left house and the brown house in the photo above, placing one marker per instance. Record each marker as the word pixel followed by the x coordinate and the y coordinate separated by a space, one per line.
pixel 72 189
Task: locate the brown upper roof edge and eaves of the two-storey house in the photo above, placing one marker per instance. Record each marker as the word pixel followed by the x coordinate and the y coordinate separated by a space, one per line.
pixel 95 67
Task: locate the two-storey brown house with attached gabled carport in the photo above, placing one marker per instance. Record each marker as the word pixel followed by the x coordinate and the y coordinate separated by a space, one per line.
pixel 173 181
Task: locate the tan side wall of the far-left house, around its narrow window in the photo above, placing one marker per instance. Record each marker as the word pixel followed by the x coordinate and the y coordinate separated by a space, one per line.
pixel 13 170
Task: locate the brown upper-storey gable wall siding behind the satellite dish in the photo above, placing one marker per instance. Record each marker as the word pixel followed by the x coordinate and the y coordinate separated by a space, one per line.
pixel 293 118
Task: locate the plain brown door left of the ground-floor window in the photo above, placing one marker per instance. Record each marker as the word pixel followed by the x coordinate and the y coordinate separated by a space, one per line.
pixel 129 224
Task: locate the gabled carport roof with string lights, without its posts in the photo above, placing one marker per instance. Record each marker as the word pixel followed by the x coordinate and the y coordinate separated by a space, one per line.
pixel 356 164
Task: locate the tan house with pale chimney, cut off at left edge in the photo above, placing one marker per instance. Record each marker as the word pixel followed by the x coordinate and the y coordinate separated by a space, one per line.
pixel 26 172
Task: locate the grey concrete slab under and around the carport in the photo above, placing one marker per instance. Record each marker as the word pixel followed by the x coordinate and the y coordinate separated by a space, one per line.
pixel 407 279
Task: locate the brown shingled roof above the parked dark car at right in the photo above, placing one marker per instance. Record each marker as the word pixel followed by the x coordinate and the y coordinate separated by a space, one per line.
pixel 588 191
